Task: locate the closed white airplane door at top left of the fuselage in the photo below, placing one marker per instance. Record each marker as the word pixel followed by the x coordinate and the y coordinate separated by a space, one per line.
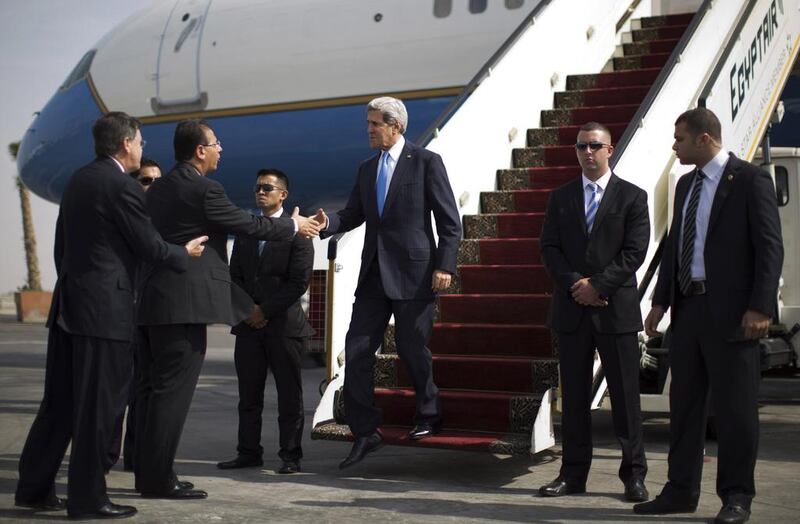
pixel 178 76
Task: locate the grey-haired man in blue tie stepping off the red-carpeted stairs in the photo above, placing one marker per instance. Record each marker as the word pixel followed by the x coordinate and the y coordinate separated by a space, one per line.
pixel 401 269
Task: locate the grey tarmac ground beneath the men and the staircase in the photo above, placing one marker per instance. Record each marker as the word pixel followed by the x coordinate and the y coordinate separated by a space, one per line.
pixel 397 484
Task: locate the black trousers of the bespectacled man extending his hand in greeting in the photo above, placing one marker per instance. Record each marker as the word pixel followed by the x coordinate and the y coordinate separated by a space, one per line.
pixel 170 359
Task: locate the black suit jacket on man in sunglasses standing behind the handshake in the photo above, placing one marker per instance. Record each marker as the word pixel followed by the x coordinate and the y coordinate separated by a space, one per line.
pixel 275 280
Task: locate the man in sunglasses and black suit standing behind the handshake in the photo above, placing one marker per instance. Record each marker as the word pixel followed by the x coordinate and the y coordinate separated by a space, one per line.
pixel 275 275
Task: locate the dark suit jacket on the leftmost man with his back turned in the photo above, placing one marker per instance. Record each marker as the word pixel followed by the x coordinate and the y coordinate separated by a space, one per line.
pixel 102 234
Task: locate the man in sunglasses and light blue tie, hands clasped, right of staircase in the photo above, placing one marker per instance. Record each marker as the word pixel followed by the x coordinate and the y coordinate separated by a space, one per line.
pixel 594 238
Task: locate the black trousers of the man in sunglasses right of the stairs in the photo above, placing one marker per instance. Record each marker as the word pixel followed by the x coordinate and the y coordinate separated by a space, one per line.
pixel 619 355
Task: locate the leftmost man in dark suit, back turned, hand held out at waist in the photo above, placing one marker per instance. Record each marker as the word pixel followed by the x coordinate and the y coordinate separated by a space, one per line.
pixel 102 233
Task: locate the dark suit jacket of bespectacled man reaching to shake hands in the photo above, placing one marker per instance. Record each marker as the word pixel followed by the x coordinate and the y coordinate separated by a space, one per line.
pixel 184 205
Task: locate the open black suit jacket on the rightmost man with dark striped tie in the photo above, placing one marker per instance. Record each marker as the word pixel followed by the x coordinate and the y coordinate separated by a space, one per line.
pixel 743 251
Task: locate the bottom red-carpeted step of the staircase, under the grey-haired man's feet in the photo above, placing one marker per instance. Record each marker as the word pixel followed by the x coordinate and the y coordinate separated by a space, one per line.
pixel 492 442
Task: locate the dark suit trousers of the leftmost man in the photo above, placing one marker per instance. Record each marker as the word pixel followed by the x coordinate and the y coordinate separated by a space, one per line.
pixel 86 383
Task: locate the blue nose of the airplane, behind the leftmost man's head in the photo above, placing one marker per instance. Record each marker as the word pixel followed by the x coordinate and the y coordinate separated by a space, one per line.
pixel 58 141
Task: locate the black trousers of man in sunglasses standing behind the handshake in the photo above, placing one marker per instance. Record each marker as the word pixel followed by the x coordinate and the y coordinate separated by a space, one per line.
pixel 255 355
